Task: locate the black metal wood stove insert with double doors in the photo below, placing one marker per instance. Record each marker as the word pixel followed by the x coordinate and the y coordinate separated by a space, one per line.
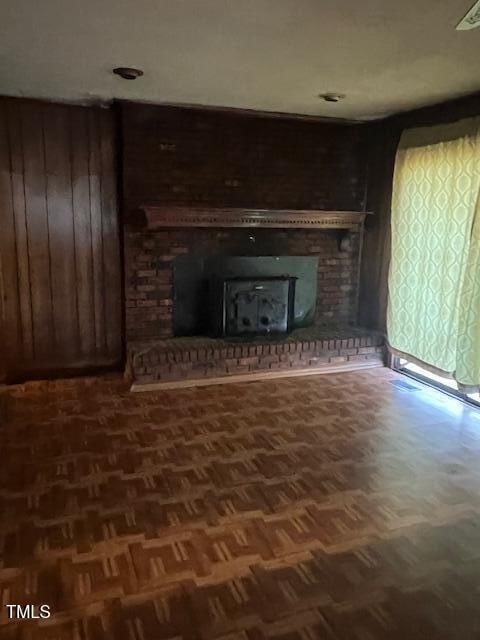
pixel 253 306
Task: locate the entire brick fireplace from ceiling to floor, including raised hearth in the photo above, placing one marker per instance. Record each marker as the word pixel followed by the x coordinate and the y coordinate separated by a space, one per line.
pixel 214 158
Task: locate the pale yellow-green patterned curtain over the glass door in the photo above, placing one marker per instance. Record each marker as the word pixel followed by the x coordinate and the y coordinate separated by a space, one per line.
pixel 434 280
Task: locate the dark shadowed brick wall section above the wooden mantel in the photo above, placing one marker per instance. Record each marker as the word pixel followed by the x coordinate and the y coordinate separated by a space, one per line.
pixel 189 156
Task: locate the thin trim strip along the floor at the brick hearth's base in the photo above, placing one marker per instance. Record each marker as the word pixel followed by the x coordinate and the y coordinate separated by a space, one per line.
pixel 252 377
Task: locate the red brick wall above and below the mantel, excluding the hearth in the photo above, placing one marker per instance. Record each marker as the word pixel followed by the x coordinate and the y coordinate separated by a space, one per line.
pixel 193 157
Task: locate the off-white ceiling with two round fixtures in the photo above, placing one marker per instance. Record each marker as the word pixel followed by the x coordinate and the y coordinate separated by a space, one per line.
pixel 271 55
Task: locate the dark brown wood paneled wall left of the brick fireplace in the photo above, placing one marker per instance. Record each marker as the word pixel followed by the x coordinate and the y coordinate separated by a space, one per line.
pixel 60 252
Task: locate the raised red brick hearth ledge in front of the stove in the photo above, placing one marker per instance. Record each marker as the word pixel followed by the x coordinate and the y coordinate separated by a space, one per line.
pixel 197 359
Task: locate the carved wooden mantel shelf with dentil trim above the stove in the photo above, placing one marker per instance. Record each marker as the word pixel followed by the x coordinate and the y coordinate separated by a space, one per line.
pixel 160 217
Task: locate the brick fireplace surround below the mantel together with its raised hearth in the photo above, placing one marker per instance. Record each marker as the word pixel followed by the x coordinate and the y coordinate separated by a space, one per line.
pixel 156 357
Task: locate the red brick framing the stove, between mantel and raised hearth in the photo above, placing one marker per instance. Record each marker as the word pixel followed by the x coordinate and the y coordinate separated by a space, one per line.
pixel 149 270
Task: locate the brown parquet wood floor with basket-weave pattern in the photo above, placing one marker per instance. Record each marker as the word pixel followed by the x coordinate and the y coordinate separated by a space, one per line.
pixel 333 507
